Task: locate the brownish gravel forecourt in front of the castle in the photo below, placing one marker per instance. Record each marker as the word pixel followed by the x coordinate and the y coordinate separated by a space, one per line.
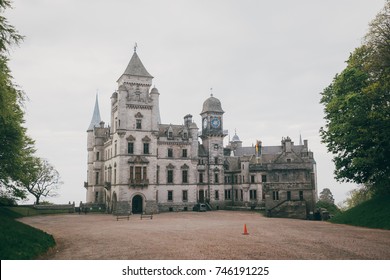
pixel 211 235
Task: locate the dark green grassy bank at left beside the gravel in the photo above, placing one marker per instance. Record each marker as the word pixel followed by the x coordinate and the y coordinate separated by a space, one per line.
pixel 19 241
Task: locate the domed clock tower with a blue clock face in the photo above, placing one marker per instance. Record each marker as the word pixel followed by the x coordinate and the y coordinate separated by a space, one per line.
pixel 212 142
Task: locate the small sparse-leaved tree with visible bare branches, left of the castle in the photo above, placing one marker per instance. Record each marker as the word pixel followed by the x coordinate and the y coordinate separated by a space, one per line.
pixel 43 180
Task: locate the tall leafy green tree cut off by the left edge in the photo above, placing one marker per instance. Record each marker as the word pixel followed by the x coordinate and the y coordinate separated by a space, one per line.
pixel 16 147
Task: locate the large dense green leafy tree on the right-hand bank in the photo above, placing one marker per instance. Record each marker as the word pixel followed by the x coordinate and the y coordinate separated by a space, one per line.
pixel 357 111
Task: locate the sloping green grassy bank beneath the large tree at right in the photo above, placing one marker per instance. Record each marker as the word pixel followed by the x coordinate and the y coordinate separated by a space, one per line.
pixel 374 213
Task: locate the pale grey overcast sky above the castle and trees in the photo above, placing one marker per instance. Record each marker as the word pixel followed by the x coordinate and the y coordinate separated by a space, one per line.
pixel 267 62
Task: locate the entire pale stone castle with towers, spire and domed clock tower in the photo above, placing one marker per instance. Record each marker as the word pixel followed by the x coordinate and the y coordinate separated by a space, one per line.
pixel 138 164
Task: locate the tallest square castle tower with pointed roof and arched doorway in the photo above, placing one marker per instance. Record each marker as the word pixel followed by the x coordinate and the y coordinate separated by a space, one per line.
pixel 135 117
